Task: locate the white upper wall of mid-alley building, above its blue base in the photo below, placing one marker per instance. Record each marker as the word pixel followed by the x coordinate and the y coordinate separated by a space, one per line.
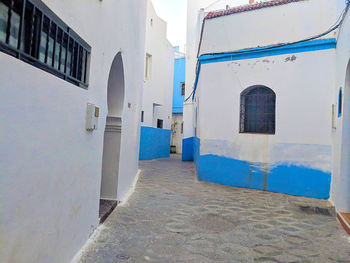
pixel 157 94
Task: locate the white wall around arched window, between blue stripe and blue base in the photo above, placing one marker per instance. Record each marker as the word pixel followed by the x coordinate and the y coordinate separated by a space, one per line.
pixel 303 109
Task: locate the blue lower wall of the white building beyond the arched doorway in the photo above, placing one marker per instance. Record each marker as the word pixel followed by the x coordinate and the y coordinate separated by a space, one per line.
pixel 154 143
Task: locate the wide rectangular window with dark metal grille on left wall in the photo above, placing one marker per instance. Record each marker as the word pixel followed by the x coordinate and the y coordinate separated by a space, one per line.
pixel 30 31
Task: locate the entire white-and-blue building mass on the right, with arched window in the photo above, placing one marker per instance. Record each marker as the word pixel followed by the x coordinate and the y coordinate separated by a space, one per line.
pixel 270 99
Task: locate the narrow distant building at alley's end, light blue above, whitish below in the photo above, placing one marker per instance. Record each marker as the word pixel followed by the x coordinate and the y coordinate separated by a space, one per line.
pixel 178 100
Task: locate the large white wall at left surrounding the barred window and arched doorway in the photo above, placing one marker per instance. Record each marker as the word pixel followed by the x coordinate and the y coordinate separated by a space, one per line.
pixel 51 166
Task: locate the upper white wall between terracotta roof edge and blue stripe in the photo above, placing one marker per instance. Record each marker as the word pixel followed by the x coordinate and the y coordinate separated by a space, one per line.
pixel 268 26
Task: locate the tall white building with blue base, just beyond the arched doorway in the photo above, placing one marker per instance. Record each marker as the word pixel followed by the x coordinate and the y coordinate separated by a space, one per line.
pixel 157 93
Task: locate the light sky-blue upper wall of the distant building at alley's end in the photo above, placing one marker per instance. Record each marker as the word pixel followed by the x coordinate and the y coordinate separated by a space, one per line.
pixel 179 76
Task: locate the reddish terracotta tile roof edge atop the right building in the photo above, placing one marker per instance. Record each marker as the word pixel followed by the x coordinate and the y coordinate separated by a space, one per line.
pixel 250 7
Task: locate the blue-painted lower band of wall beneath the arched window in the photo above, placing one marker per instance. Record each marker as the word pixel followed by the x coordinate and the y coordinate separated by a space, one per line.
pixel 281 178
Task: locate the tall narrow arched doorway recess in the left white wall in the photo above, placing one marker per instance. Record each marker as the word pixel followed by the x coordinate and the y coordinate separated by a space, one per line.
pixel 112 135
